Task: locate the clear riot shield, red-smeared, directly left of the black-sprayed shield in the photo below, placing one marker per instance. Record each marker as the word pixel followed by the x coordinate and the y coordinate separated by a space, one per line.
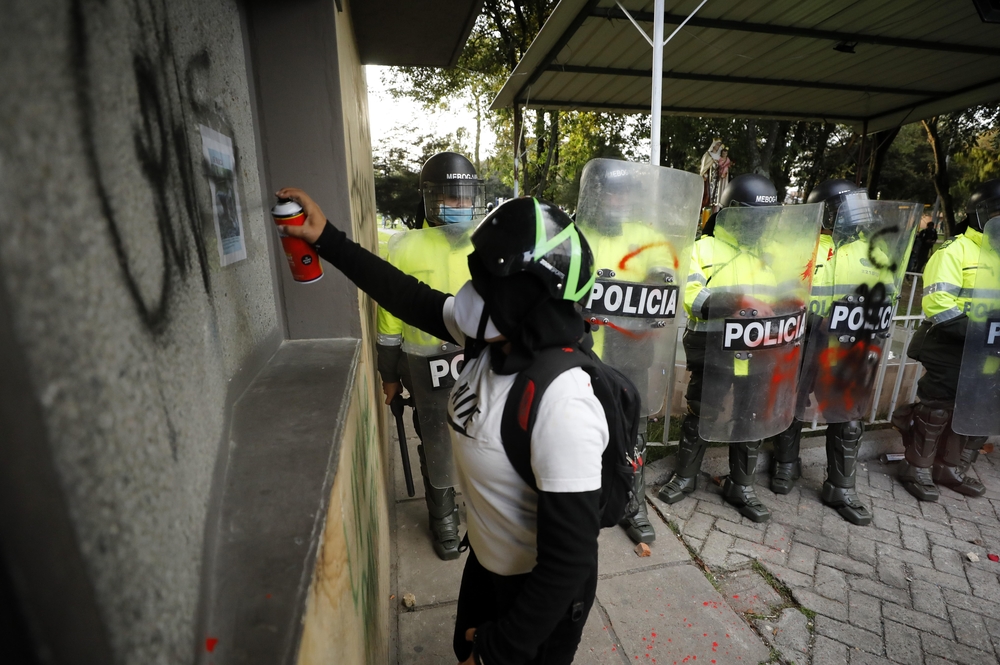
pixel 761 273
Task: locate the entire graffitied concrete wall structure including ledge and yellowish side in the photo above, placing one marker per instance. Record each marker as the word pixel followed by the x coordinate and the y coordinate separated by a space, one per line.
pixel 125 343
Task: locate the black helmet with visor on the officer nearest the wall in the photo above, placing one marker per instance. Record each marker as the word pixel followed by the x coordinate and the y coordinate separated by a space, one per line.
pixel 451 190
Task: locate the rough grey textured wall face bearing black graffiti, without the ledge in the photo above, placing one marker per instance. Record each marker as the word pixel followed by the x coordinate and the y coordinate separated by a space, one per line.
pixel 130 331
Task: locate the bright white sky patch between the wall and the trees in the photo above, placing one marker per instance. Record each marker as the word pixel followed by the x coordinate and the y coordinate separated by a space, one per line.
pixel 386 113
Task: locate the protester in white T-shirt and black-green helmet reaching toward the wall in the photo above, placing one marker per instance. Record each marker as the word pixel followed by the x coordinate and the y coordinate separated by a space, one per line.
pixel 531 574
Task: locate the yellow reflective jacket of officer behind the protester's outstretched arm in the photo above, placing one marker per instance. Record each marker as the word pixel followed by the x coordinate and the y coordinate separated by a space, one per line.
pixel 433 259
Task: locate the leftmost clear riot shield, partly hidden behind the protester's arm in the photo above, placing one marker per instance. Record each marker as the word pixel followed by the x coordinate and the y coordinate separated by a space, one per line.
pixel 437 256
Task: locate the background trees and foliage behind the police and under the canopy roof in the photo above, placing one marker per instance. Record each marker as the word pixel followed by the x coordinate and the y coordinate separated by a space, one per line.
pixel 553 146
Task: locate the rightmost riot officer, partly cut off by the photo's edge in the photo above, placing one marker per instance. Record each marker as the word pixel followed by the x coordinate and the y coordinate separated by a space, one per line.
pixel 935 453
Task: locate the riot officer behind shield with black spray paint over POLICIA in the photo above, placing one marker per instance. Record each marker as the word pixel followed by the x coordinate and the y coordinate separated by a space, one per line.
pixel 851 273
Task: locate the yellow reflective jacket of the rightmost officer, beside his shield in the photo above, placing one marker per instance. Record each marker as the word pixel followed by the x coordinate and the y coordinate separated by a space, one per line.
pixel 950 276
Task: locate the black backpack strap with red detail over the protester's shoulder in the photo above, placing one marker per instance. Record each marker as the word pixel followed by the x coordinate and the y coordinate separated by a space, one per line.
pixel 521 408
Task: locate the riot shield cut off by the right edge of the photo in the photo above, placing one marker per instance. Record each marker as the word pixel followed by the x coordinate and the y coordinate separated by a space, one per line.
pixel 977 401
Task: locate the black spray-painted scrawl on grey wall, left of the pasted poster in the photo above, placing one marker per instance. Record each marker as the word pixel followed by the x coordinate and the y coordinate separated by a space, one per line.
pixel 139 100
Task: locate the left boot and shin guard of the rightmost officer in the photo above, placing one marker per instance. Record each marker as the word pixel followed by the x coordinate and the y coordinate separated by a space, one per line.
pixel 921 426
